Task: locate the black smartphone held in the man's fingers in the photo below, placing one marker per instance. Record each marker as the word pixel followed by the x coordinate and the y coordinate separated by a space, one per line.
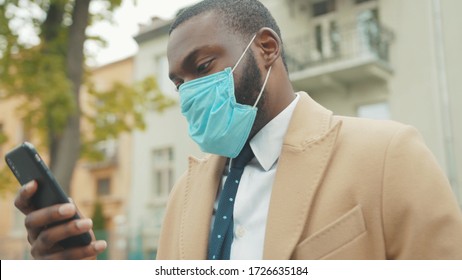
pixel 27 165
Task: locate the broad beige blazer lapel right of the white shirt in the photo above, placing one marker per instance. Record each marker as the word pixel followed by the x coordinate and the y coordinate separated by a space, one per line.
pixel 305 155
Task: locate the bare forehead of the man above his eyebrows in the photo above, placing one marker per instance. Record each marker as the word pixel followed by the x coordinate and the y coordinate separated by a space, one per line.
pixel 203 30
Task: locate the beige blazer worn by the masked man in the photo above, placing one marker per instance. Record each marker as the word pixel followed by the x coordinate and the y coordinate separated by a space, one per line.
pixel 345 188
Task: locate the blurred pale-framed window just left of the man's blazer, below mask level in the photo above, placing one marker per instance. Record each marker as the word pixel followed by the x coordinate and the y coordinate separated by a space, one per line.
pixel 163 172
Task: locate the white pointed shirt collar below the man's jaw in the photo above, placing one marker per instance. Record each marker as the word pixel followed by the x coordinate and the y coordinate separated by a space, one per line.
pixel 267 143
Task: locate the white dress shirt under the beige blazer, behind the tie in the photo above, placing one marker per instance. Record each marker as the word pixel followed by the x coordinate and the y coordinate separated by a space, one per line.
pixel 254 192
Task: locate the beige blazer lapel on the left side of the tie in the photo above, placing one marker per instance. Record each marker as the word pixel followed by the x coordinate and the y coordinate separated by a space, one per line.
pixel 200 197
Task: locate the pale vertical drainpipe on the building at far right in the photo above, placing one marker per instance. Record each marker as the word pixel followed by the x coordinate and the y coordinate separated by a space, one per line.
pixel 444 98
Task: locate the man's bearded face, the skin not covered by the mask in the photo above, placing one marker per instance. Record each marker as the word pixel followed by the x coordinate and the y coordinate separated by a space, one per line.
pixel 202 46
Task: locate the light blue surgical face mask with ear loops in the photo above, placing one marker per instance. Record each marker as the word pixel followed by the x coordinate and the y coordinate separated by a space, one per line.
pixel 217 123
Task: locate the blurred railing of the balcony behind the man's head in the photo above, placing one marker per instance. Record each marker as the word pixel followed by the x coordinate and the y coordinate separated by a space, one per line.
pixel 346 43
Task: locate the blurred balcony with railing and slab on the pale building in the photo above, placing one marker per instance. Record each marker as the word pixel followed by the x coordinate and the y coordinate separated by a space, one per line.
pixel 337 59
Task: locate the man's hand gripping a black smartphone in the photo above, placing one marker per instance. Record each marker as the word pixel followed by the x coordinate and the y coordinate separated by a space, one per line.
pixel 54 227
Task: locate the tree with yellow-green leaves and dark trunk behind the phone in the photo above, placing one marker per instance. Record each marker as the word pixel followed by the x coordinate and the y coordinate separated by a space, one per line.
pixel 46 70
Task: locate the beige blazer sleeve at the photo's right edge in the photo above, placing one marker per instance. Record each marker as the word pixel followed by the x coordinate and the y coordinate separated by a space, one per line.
pixel 421 217
